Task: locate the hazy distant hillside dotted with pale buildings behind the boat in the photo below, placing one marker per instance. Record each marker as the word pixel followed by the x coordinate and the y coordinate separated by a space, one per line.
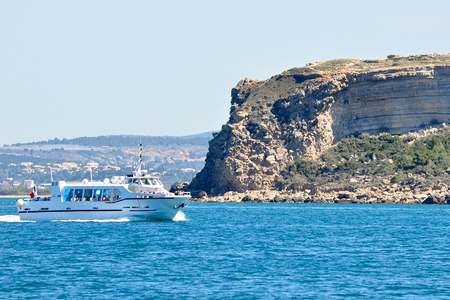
pixel 174 158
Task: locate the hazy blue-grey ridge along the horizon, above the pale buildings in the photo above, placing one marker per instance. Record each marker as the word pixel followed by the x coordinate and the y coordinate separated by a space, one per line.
pixel 200 139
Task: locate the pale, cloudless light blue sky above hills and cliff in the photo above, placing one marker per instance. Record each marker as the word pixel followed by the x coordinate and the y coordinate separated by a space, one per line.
pixel 87 68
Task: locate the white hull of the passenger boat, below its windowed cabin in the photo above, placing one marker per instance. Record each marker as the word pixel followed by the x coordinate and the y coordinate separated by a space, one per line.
pixel 131 208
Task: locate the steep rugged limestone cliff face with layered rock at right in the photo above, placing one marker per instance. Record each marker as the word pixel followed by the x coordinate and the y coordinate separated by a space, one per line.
pixel 303 111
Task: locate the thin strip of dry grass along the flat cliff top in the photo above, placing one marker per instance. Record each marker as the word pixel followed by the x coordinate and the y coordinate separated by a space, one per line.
pixel 392 61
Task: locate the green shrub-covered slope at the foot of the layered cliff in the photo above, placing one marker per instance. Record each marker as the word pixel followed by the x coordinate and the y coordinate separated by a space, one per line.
pixel 380 155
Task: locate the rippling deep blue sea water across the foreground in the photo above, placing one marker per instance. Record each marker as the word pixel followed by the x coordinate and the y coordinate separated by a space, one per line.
pixel 239 251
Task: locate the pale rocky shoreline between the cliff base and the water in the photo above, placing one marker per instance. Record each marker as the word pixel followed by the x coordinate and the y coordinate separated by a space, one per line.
pixel 417 192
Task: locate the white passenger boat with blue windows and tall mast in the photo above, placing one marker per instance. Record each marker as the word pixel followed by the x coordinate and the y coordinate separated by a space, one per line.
pixel 138 196
